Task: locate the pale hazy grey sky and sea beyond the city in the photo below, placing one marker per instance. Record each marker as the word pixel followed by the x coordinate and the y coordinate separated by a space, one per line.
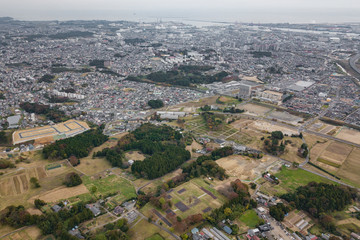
pixel 216 10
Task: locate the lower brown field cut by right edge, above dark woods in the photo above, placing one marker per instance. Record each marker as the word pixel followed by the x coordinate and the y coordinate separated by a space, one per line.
pixel 351 167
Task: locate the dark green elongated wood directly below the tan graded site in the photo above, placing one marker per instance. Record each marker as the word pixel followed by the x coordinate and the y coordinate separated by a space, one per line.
pixel 79 145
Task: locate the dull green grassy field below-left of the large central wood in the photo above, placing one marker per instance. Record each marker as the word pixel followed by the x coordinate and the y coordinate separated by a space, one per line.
pixel 111 185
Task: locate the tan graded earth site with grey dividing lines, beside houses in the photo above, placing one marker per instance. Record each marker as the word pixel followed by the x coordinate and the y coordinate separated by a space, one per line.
pixel 51 132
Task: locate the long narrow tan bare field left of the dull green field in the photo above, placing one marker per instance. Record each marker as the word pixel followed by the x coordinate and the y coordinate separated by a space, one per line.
pixel 61 193
